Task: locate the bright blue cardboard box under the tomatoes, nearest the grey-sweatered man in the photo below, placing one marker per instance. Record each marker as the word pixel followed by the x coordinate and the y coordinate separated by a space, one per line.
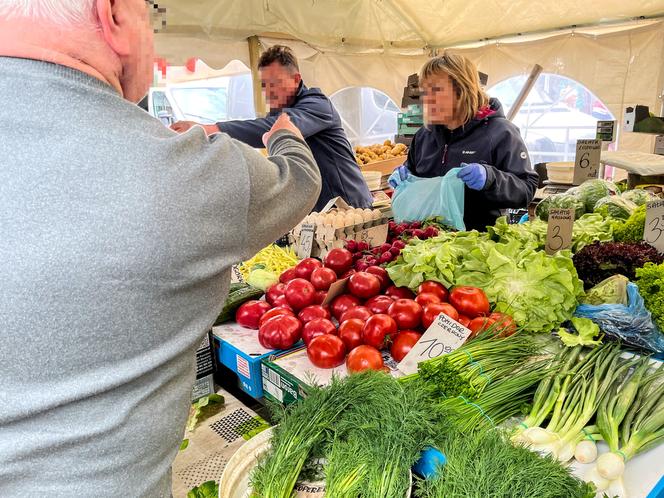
pixel 238 349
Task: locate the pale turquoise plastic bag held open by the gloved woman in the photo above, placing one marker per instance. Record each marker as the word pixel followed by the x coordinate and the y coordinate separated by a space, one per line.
pixel 417 199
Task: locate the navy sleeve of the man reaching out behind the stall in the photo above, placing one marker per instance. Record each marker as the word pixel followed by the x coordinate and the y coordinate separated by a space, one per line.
pixel 311 116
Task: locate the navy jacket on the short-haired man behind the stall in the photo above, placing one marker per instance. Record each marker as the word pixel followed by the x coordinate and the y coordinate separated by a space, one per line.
pixel 313 113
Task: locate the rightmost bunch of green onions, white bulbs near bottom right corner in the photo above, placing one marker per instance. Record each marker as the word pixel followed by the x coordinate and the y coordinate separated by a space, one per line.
pixel 631 421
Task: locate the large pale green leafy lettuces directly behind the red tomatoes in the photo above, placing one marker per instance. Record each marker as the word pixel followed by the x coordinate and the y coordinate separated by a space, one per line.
pixel 538 290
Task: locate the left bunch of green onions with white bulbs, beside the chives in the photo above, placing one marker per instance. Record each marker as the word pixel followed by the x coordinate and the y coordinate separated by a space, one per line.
pixel 582 391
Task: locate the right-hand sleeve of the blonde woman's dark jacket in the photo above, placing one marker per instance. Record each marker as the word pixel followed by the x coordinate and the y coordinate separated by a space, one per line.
pixel 511 181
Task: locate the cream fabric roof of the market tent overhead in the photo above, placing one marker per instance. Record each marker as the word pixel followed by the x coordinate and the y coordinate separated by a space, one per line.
pixel 401 26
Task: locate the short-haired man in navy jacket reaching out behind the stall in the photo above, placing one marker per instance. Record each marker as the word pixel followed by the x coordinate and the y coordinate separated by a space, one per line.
pixel 313 113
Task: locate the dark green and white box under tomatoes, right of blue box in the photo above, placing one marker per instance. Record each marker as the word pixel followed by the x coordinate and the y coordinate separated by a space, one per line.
pixel 289 377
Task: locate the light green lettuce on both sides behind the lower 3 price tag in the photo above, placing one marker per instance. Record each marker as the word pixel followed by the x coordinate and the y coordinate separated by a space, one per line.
pixel 587 229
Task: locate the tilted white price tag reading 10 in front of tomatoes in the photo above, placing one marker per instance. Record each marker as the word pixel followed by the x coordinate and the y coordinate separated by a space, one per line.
pixel 442 337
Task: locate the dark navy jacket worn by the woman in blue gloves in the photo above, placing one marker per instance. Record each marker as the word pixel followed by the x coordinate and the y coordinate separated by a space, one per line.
pixel 492 141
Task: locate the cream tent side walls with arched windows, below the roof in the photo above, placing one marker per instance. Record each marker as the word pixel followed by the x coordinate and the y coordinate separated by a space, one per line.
pixel 621 68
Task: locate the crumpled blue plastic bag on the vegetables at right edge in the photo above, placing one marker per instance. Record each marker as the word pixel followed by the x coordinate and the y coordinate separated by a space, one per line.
pixel 631 324
